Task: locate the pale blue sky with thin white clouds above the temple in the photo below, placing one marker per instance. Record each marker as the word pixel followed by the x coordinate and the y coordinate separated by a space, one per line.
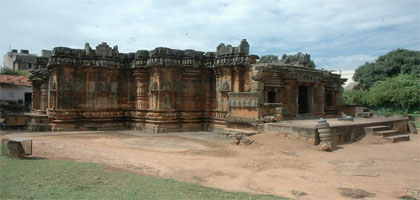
pixel 339 35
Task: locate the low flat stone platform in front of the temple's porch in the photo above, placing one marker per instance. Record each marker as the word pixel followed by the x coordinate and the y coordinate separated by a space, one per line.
pixel 344 131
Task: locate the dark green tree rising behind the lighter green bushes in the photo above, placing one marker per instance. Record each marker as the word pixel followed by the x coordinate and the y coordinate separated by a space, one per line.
pixel 386 66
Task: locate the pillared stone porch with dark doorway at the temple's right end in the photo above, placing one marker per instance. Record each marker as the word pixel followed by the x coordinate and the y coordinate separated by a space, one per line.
pixel 284 81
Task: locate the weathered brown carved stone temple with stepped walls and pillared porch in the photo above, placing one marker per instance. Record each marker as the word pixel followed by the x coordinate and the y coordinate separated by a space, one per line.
pixel 165 90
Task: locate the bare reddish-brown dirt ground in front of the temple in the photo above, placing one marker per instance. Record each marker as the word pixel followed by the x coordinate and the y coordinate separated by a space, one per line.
pixel 274 164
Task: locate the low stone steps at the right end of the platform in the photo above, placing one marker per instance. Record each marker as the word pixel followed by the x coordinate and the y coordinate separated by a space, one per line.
pixel 389 135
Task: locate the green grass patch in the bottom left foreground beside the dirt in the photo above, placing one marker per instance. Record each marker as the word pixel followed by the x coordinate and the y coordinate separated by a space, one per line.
pixel 57 179
